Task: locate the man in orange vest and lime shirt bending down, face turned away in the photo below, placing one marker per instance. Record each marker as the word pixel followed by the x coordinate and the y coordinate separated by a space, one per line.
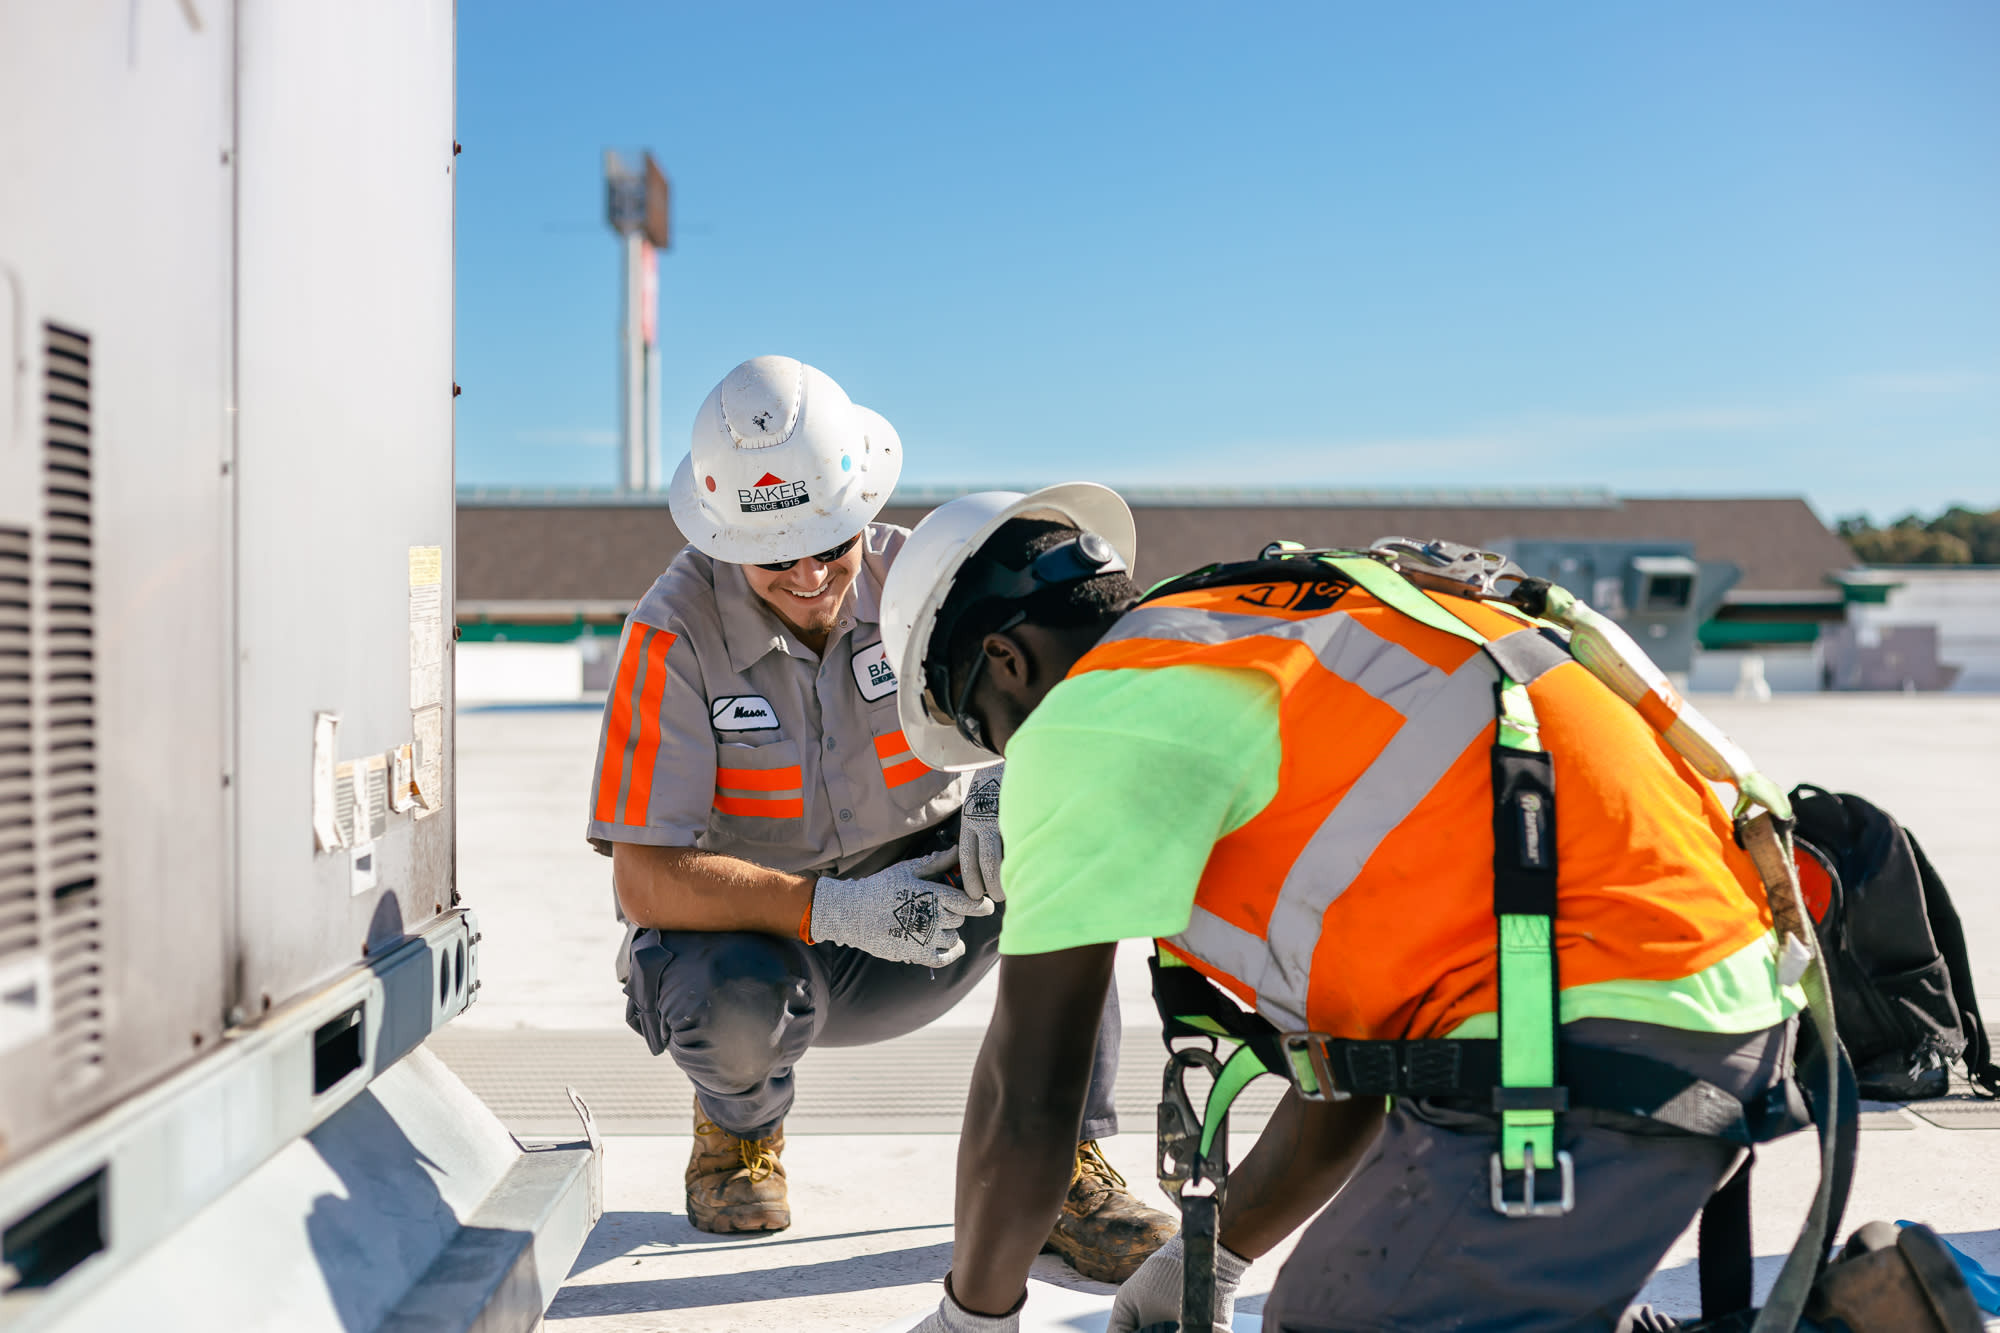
pixel 1287 774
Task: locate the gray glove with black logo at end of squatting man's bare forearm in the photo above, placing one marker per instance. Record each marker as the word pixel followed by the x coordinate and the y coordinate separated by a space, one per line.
pixel 897 914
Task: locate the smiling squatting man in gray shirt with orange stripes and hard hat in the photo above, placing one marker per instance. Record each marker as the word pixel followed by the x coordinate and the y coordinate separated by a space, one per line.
pixel 775 846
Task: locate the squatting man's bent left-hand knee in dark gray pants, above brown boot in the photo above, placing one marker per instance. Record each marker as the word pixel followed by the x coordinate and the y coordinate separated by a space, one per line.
pixel 731 1008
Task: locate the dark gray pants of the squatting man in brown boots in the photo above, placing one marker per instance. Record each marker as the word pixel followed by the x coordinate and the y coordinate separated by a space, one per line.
pixel 737 1010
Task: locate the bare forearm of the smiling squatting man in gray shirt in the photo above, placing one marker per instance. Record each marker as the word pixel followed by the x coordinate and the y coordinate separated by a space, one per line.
pixel 691 890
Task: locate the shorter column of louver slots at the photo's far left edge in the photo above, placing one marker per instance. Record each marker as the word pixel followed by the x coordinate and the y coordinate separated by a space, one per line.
pixel 19 902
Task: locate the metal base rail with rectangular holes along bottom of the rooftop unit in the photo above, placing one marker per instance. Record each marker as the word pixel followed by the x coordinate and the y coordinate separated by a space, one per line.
pixel 177 1148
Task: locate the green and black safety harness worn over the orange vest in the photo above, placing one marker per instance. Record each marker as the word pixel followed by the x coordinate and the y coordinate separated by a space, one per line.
pixel 1527 1076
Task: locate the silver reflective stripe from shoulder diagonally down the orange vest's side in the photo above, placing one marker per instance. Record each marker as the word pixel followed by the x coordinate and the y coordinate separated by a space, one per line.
pixel 1457 710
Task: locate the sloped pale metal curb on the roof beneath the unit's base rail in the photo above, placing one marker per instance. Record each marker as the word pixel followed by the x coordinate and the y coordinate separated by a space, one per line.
pixel 411 1210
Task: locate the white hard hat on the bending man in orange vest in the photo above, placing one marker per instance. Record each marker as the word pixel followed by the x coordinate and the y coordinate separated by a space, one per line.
pixel 923 575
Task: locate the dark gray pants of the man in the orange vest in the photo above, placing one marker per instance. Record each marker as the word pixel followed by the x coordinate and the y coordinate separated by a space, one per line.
pixel 1413 1240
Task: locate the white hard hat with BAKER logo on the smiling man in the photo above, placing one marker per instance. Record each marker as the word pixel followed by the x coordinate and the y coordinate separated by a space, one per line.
pixel 781 465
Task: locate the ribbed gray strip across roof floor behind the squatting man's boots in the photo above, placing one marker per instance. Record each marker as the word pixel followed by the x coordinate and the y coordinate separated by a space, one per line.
pixel 841 1090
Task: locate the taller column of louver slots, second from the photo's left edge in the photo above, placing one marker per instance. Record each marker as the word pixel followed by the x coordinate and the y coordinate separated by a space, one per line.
pixel 69 766
